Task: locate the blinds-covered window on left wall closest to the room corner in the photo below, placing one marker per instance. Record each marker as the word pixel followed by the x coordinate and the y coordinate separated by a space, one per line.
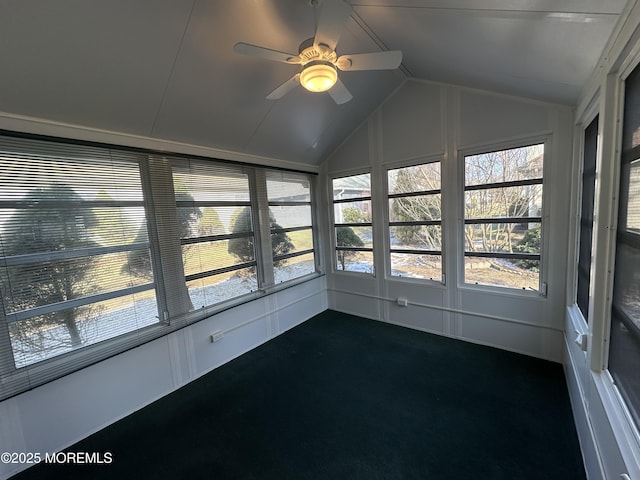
pixel 291 225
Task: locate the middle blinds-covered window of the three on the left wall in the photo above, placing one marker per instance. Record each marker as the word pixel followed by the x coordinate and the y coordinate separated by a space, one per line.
pixel 216 230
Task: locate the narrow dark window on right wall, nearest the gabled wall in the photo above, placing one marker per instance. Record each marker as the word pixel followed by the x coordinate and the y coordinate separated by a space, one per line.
pixel 586 216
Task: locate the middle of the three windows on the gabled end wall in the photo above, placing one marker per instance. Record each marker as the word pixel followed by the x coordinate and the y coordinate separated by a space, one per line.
pixel 415 221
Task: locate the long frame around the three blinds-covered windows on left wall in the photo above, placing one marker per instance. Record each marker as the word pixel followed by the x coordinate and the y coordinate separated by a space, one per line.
pixel 160 210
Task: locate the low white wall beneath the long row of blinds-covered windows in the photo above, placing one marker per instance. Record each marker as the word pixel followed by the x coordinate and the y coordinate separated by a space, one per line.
pixel 58 414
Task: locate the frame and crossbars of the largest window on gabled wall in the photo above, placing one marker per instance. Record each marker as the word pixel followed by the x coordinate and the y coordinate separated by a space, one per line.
pixel 541 291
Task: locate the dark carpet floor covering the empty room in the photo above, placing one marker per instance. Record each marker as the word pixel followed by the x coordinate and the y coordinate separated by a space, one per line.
pixel 340 397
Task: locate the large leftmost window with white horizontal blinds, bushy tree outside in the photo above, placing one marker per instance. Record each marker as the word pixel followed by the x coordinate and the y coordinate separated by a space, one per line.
pixel 75 265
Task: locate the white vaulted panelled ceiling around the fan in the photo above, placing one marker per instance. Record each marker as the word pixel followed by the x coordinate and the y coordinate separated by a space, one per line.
pixel 166 68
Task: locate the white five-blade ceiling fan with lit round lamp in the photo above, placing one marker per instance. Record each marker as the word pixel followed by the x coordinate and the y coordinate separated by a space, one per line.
pixel 318 57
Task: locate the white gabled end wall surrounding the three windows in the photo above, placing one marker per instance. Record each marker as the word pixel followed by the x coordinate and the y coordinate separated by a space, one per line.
pixel 423 120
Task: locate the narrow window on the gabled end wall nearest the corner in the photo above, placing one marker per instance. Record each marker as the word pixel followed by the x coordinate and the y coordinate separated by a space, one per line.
pixel 352 220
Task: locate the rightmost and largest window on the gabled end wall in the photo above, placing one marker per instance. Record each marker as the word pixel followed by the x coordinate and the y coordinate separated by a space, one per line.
pixel 503 217
